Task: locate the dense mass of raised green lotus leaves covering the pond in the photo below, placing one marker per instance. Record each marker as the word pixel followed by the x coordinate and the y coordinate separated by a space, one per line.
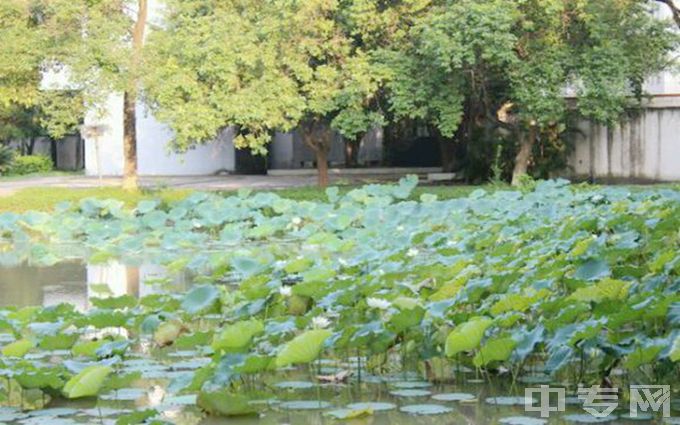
pixel 570 280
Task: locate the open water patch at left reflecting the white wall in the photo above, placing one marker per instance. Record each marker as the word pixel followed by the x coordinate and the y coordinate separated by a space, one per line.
pixel 76 282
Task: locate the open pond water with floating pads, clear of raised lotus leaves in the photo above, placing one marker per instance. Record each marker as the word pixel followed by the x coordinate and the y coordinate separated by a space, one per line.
pixel 293 397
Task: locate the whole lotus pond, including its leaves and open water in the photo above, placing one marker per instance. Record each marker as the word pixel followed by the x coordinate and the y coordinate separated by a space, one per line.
pixel 367 308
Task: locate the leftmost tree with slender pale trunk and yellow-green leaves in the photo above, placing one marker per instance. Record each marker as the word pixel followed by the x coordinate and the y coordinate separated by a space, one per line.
pixel 94 45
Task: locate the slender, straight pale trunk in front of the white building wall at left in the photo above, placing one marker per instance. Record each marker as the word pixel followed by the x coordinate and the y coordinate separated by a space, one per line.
pixel 130 181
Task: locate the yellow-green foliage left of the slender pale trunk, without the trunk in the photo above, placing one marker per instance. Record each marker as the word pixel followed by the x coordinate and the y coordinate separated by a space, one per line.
pixel 46 38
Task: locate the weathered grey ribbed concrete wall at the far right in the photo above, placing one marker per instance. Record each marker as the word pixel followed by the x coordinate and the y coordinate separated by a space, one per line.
pixel 645 147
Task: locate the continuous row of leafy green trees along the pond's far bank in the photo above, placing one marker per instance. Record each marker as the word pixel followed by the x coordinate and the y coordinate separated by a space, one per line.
pixel 480 77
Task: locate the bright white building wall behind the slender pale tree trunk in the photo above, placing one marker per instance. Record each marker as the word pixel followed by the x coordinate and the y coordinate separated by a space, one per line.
pixel 154 155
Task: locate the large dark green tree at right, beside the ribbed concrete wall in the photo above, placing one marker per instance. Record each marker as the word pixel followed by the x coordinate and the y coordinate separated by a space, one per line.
pixel 466 60
